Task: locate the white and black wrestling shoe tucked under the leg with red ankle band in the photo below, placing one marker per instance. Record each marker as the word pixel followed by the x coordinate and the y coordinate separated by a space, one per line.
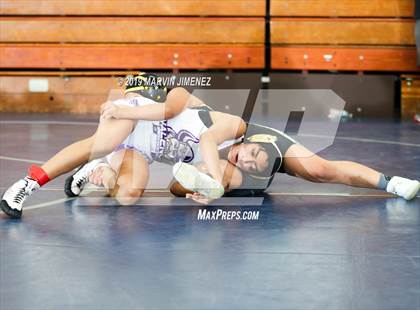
pixel 75 183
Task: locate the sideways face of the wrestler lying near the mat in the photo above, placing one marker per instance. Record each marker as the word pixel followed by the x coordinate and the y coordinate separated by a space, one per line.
pixel 249 157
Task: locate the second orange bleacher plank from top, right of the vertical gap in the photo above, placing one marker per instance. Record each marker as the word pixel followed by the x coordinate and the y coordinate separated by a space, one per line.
pixel 342 31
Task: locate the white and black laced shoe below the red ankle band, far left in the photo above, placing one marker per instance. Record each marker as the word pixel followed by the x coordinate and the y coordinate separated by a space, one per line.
pixel 13 199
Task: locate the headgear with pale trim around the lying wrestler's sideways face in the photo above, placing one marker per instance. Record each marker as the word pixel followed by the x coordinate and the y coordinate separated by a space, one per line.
pixel 273 151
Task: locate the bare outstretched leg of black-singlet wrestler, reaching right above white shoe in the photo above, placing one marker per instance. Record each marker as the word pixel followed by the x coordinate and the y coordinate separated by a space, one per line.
pixel 301 162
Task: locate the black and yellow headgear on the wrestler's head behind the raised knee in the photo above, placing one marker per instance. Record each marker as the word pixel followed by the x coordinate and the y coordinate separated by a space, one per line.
pixel 148 85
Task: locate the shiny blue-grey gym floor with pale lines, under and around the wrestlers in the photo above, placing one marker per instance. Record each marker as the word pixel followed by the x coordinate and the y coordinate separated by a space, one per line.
pixel 314 246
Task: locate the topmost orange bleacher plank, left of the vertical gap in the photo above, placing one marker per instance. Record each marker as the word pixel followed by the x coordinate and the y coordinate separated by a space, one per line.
pixel 134 7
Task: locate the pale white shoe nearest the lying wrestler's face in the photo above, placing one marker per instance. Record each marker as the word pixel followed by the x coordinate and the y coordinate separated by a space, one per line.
pixel 191 178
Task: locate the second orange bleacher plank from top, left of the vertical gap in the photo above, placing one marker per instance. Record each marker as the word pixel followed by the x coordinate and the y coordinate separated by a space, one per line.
pixel 132 30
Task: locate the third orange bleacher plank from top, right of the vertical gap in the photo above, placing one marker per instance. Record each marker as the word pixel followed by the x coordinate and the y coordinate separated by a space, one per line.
pixel 353 59
